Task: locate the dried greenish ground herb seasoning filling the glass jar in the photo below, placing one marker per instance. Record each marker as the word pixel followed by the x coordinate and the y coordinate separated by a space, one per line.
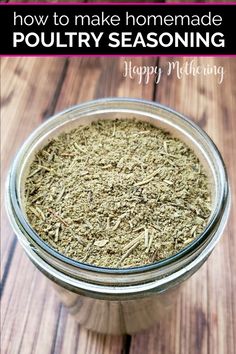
pixel 117 194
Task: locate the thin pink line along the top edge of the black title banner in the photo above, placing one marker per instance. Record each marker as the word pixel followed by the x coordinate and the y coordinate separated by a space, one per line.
pixel 120 3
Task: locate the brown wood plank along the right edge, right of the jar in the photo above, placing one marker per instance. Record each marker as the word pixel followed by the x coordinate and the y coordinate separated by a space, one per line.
pixel 204 321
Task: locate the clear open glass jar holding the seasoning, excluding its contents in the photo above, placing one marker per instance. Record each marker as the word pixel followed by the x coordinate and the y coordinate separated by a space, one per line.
pixel 127 300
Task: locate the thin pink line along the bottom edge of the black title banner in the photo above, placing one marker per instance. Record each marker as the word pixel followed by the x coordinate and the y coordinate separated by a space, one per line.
pixel 118 55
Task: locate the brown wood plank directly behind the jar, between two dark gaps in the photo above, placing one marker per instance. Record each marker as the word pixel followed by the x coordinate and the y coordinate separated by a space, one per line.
pixel 89 78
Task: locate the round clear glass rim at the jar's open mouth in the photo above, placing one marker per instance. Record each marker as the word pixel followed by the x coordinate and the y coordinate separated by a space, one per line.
pixel 13 197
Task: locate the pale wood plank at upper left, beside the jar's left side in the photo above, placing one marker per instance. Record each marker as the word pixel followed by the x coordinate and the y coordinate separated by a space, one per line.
pixel 27 90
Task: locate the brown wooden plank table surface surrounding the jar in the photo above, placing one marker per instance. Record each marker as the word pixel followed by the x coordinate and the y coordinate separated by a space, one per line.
pixel 33 319
